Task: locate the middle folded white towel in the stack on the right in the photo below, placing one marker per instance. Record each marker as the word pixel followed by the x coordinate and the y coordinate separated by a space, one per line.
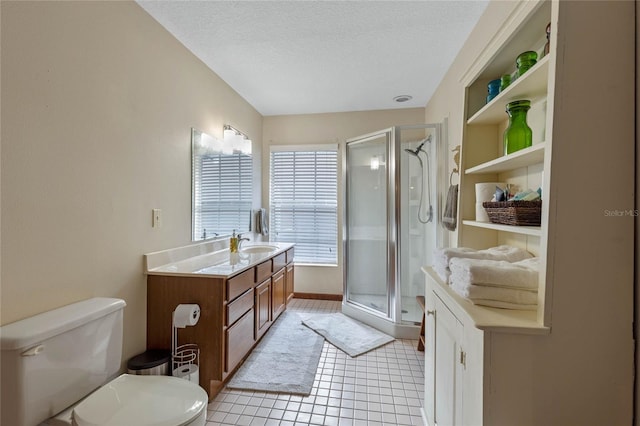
pixel 518 275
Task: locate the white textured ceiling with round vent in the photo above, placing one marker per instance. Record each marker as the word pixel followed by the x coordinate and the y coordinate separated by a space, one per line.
pixel 298 57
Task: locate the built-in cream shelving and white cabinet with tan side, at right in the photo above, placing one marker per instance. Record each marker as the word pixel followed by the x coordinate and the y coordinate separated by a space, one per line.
pixel 500 366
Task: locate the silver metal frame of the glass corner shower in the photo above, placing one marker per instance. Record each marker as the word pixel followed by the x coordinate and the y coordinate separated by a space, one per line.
pixel 393 205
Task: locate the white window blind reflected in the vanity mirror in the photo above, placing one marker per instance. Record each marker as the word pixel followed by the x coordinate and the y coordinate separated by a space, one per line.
pixel 225 194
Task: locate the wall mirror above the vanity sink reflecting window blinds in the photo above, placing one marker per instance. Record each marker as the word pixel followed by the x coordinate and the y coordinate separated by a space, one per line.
pixel 221 192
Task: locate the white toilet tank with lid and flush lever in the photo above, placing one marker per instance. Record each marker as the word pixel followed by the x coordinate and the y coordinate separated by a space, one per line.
pixel 54 359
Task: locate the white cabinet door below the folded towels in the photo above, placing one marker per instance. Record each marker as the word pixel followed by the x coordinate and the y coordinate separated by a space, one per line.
pixel 448 366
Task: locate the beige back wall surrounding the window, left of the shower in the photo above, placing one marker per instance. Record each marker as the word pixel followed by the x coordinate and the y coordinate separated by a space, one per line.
pixel 322 129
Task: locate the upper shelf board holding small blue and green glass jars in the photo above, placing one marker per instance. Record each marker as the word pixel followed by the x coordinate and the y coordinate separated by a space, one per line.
pixel 532 85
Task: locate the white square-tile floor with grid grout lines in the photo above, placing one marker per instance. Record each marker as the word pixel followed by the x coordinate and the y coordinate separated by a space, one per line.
pixel 382 387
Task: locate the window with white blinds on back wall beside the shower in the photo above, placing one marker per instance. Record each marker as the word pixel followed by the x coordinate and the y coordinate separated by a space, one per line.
pixel 304 201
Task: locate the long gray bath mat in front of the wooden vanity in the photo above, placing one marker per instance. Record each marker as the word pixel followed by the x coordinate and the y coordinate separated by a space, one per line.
pixel 285 360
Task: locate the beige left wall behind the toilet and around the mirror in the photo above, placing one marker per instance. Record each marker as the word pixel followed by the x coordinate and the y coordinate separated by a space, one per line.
pixel 97 105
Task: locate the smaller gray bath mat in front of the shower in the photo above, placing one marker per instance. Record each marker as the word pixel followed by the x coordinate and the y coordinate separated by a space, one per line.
pixel 347 334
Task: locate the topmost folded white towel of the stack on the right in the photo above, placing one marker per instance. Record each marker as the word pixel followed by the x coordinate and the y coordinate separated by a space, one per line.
pixel 443 257
